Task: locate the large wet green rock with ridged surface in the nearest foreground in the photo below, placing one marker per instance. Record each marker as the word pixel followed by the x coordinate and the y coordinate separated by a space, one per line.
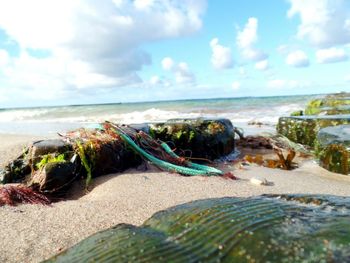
pixel 291 228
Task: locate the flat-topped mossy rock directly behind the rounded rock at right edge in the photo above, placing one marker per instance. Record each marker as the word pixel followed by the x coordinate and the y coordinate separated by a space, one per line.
pixel 304 129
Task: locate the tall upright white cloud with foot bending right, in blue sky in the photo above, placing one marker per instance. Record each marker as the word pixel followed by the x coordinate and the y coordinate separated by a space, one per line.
pixel 247 38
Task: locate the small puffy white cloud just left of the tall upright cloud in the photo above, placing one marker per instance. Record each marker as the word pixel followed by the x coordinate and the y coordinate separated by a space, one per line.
pixel 221 57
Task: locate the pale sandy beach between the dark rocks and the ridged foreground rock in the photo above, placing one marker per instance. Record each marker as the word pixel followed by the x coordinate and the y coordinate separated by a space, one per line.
pixel 32 233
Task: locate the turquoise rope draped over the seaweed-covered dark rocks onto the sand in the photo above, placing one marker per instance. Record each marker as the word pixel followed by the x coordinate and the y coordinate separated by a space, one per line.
pixel 192 169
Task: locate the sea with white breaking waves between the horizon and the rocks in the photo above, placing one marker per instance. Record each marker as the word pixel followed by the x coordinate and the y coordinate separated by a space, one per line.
pixel 241 111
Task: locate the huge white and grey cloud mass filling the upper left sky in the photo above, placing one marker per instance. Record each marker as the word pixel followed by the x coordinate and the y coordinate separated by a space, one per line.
pixel 93 44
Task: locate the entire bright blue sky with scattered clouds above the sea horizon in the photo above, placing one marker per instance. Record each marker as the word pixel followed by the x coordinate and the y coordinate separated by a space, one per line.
pixel 63 52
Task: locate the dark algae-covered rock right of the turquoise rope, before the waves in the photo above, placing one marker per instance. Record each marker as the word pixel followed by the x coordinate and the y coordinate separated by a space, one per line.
pixel 204 138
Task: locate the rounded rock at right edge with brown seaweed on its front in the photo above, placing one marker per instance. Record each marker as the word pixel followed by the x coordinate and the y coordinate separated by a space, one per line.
pixel 333 148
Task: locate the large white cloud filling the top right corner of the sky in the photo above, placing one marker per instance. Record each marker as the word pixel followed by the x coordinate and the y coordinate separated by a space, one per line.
pixel 324 23
